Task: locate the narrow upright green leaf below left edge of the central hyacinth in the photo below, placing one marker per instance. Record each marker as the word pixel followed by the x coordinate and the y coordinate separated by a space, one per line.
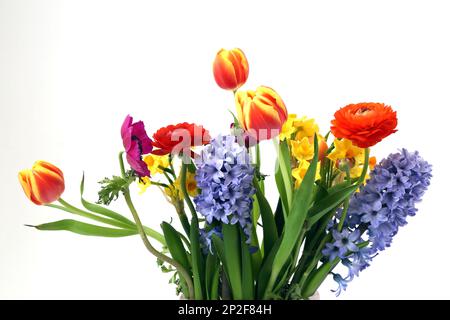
pixel 197 260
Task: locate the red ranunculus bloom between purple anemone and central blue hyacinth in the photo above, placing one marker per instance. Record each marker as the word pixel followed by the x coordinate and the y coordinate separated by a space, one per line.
pixel 179 138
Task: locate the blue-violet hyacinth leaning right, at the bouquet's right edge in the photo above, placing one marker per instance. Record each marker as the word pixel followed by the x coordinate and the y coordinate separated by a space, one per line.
pixel 381 207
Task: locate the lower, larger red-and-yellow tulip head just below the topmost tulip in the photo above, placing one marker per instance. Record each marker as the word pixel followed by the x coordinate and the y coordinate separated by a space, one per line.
pixel 261 112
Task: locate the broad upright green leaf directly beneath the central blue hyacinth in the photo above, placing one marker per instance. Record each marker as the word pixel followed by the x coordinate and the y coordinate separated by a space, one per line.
pixel 232 251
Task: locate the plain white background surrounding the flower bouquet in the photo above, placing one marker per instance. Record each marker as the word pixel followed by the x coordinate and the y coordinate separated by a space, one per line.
pixel 71 70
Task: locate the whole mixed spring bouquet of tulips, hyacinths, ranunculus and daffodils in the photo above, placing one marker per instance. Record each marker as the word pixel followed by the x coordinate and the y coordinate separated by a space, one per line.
pixel 336 204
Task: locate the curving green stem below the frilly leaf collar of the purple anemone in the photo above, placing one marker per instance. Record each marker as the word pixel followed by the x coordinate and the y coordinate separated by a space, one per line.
pixel 182 271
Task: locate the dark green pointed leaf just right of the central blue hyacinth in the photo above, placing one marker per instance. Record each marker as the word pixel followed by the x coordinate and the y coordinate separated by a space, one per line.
pixel 269 227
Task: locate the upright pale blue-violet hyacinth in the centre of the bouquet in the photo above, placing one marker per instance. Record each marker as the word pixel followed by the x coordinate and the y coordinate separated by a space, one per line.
pixel 225 176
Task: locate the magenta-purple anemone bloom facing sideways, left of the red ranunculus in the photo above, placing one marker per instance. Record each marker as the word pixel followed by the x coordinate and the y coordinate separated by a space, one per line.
pixel 136 143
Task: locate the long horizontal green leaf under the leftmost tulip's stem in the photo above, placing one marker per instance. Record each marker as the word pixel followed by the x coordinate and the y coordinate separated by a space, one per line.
pixel 84 229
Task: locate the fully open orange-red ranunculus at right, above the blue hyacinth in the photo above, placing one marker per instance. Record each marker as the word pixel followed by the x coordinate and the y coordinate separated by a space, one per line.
pixel 365 124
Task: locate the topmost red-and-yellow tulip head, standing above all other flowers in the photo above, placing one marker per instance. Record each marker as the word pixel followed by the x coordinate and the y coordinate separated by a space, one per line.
pixel 230 69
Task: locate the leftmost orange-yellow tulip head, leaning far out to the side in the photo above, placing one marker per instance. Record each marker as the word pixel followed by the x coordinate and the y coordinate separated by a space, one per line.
pixel 43 183
